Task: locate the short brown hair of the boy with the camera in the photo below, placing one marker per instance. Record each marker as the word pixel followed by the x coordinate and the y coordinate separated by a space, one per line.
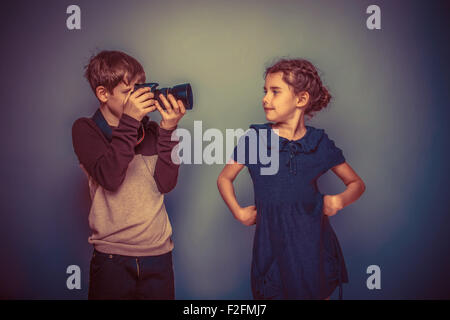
pixel 109 68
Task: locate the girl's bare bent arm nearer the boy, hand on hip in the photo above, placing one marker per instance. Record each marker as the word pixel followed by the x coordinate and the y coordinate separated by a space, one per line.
pixel 225 180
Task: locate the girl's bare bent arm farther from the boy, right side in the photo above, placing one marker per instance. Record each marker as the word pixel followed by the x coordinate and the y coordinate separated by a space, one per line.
pixel 355 188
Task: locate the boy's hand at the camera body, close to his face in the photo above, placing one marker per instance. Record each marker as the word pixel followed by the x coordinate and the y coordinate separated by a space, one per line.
pixel 139 103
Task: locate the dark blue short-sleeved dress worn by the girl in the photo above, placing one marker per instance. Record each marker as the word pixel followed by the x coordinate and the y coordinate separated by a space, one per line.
pixel 296 254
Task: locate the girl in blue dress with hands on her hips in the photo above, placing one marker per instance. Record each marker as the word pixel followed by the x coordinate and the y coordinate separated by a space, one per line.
pixel 296 254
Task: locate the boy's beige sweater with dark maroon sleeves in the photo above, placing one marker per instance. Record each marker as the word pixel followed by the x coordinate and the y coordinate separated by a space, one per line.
pixel 127 185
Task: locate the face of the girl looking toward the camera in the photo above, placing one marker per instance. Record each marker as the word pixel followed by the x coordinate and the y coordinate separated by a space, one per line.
pixel 279 102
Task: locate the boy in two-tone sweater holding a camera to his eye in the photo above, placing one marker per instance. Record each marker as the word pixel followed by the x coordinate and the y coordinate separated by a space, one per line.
pixel 127 159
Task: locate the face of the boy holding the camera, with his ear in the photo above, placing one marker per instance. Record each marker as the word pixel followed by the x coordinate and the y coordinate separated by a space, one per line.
pixel 116 99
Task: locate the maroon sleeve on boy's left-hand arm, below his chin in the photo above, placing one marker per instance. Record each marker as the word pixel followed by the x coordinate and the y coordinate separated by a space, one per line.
pixel 106 163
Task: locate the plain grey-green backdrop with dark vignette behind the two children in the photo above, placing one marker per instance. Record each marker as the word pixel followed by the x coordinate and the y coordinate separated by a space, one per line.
pixel 389 114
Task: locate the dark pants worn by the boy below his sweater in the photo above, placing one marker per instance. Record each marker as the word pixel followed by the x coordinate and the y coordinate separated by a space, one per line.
pixel 114 276
